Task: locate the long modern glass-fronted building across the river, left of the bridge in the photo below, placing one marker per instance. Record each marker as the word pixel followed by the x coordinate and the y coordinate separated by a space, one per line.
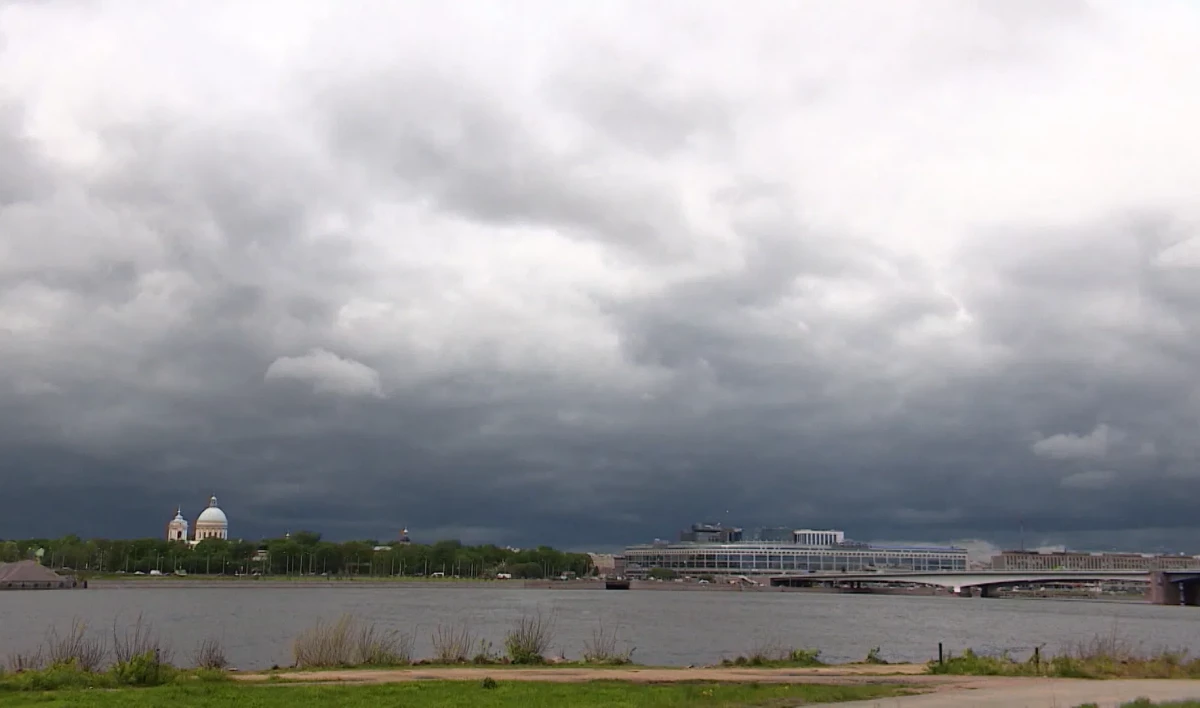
pixel 795 559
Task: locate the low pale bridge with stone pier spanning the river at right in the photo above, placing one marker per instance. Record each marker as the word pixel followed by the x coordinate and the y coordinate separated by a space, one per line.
pixel 1166 587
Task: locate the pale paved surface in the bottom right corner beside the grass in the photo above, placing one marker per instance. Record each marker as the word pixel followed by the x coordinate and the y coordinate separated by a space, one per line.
pixel 1041 693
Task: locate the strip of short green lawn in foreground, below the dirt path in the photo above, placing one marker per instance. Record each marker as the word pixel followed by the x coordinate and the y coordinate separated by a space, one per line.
pixel 455 694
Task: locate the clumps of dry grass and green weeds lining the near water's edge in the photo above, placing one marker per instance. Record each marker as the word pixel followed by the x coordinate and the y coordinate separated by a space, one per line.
pixel 135 657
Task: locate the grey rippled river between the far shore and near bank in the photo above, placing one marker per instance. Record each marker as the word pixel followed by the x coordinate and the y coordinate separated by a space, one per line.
pixel 257 626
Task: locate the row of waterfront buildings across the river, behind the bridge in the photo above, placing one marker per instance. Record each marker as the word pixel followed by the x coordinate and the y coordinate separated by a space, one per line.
pixel 725 551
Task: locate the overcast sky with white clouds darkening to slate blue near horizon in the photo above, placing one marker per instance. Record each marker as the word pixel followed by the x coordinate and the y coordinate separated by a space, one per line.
pixel 585 273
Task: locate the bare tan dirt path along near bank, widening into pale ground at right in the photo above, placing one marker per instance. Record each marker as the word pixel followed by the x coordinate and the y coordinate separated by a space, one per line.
pixel 937 692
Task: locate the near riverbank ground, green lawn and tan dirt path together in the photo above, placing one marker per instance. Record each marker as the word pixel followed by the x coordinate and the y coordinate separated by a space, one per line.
pixel 860 687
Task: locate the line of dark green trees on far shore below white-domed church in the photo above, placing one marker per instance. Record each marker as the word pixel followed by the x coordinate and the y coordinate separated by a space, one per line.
pixel 299 554
